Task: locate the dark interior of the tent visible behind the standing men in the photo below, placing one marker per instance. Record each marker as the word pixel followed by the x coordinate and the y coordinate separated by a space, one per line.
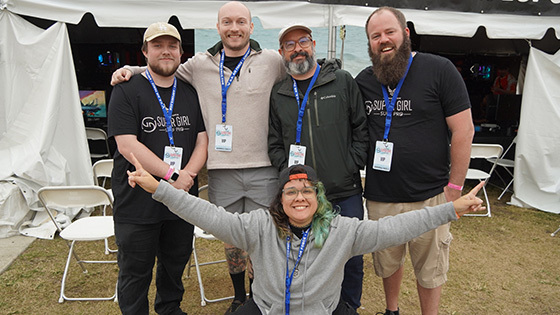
pixel 98 51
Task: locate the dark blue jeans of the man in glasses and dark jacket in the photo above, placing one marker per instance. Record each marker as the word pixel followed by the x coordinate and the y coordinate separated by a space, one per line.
pixel 354 269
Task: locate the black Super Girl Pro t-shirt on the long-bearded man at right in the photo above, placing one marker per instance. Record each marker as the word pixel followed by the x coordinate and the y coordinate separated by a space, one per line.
pixel 432 91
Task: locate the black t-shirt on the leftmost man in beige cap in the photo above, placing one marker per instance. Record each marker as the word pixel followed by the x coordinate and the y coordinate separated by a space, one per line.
pixel 135 110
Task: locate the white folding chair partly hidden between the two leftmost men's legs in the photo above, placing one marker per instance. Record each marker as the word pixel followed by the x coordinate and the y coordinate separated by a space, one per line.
pixel 200 234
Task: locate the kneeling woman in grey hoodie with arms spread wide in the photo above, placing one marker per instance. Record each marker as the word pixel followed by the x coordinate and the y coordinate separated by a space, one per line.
pixel 300 245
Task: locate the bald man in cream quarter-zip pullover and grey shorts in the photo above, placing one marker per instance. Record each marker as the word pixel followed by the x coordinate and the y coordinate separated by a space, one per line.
pixel 240 175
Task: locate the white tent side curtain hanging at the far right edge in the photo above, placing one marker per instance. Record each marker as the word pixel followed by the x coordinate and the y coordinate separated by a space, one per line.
pixel 537 156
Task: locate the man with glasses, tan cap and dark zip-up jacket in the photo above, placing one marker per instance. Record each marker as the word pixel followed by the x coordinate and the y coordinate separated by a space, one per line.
pixel 317 119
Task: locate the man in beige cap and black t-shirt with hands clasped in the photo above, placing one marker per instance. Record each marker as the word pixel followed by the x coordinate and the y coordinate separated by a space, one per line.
pixel 156 118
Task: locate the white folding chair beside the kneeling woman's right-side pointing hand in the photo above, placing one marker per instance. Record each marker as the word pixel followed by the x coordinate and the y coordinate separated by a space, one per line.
pixel 483 151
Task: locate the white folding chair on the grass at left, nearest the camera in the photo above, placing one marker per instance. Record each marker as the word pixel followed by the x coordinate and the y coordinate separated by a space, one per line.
pixel 93 228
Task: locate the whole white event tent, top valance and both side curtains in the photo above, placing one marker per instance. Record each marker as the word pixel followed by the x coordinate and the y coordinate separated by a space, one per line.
pixel 58 155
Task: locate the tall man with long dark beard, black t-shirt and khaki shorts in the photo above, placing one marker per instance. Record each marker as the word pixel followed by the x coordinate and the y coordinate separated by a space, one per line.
pixel 417 106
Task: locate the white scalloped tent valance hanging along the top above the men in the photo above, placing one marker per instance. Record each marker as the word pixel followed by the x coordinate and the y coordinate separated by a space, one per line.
pixel 276 14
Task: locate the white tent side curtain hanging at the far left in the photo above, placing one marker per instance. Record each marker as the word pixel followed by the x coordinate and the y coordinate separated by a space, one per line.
pixel 42 134
